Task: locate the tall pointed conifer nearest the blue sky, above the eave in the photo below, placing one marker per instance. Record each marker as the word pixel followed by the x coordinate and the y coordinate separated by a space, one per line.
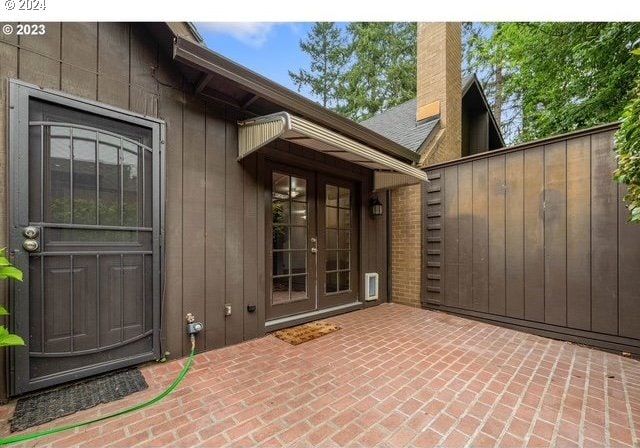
pixel 327 49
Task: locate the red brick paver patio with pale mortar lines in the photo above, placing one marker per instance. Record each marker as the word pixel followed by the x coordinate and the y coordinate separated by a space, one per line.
pixel 393 376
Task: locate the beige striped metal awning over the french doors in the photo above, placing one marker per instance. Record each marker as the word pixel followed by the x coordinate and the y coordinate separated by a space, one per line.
pixel 389 172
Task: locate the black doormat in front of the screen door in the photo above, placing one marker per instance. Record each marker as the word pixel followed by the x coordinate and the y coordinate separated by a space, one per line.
pixel 45 406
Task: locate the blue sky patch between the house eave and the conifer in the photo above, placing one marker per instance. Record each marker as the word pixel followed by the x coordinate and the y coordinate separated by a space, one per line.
pixel 270 49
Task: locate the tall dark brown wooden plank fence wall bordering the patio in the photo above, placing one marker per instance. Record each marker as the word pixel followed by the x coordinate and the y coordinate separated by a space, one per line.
pixel 536 237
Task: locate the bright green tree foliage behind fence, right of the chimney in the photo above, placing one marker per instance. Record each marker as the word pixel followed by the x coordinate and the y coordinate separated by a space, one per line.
pixel 562 76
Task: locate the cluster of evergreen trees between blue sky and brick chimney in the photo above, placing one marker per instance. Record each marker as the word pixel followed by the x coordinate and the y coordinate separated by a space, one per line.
pixel 363 70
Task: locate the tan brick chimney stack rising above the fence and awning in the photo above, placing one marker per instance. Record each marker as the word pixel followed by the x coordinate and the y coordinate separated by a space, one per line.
pixel 439 87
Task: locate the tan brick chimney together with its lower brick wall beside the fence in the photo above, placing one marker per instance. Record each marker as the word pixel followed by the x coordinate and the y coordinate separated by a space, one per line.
pixel 439 91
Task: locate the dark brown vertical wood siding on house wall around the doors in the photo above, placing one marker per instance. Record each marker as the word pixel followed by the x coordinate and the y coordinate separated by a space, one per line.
pixel 215 205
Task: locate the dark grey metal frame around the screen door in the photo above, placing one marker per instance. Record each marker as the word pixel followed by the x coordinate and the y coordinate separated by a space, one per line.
pixel 19 95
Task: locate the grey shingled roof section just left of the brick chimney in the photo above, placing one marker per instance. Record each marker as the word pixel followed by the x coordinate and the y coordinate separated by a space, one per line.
pixel 399 125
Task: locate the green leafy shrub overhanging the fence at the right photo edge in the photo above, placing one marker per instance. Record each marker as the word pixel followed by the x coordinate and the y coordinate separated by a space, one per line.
pixel 628 151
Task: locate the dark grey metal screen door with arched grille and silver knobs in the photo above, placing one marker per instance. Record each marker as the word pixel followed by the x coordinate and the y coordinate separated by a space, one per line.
pixel 87 193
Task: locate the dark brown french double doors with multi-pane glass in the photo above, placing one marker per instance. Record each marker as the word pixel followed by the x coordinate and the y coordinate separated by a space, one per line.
pixel 313 244
